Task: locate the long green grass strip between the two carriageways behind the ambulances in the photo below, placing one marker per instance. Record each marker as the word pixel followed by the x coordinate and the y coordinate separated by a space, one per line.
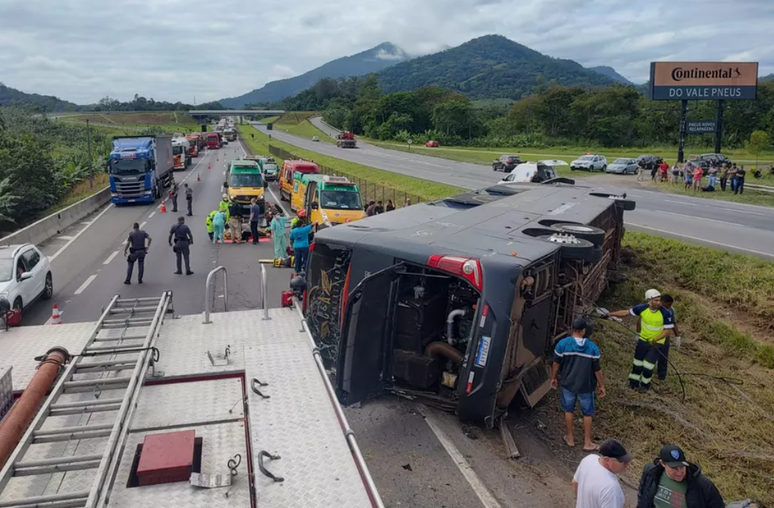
pixel 393 183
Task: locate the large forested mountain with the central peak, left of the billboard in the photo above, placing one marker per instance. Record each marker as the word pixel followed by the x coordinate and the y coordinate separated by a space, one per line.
pixel 488 67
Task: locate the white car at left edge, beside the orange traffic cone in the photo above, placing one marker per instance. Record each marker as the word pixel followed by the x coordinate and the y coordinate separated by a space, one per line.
pixel 25 275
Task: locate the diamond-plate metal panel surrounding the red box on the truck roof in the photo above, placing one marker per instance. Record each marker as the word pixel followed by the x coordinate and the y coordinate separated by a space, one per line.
pixel 220 443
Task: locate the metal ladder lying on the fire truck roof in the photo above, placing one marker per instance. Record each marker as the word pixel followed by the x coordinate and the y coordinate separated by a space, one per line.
pixel 116 358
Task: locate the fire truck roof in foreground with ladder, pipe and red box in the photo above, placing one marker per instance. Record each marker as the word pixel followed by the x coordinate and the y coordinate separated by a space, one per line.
pixel 144 407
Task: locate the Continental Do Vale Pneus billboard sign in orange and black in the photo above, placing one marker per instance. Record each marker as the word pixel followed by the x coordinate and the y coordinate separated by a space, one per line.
pixel 703 80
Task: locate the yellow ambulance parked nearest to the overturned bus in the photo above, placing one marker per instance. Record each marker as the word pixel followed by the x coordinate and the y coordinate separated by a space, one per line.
pixel 328 200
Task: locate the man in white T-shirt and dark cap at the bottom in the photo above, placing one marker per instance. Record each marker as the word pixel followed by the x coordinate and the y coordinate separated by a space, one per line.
pixel 596 479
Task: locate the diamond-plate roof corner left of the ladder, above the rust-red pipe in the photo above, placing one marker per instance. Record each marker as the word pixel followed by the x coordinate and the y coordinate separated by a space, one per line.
pixel 18 346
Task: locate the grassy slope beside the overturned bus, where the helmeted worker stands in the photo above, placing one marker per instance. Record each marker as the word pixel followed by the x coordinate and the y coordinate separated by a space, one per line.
pixel 725 307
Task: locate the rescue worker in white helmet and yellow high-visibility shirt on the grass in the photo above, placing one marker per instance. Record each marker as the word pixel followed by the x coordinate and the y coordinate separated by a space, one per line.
pixel 657 324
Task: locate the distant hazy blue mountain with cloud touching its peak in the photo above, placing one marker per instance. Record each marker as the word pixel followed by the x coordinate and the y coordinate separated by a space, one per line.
pixel 373 60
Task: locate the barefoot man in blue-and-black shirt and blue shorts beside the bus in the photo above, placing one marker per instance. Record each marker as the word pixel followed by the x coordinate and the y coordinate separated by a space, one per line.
pixel 576 359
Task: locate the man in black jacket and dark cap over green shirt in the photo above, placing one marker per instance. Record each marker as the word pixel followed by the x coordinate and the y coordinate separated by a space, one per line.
pixel 673 482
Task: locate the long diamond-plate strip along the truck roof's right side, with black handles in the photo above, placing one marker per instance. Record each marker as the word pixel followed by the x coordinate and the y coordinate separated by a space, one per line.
pixel 299 424
